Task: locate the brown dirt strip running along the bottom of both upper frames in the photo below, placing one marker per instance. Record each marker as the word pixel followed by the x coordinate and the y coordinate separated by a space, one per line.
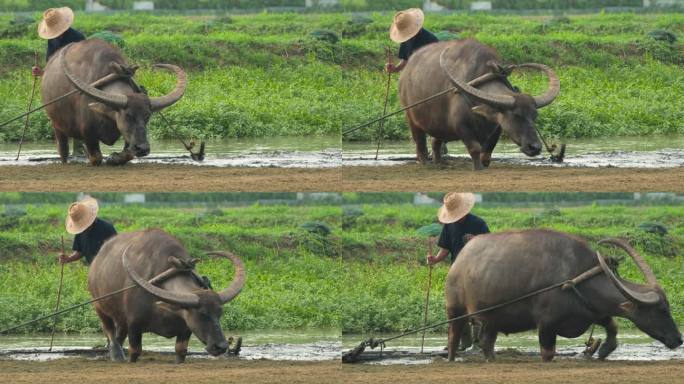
pixel 412 177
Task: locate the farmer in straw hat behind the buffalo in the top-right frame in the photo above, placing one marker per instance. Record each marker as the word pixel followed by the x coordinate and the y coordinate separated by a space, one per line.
pixel 407 29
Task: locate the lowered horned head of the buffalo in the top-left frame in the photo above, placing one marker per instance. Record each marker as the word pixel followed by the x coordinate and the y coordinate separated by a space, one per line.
pixel 131 111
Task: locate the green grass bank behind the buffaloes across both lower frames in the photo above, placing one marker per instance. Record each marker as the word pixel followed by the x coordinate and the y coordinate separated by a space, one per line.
pixel 367 276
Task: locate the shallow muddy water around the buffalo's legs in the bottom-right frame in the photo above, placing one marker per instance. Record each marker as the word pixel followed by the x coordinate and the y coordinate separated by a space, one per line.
pixel 632 346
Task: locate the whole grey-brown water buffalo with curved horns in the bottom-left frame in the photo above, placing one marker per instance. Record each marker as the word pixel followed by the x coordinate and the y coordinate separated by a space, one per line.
pixel 178 307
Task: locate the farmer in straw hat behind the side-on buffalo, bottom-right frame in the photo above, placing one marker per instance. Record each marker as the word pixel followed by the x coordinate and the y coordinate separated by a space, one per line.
pixel 460 226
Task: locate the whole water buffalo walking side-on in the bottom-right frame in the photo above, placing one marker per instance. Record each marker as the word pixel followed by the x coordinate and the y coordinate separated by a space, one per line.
pixel 495 268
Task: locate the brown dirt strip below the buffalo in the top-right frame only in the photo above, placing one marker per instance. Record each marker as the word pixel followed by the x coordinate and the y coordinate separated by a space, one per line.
pixel 507 178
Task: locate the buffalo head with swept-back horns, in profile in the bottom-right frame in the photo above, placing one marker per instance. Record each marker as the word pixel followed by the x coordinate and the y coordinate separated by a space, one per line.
pixel 646 305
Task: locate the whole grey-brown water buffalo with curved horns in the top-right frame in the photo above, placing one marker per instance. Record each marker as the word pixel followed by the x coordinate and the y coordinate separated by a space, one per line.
pixel 475 116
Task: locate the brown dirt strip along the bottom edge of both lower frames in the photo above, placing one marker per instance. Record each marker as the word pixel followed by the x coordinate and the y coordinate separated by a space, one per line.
pixel 161 370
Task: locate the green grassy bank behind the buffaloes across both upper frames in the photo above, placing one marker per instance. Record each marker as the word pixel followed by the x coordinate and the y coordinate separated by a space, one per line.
pixel 265 75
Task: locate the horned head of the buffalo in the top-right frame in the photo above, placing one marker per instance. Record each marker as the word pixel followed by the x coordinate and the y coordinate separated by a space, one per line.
pixel 514 113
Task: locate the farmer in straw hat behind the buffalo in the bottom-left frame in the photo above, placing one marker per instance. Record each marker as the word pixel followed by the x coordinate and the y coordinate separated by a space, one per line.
pixel 91 232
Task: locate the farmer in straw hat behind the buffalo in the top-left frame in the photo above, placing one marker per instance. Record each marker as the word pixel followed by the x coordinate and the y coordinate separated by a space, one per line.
pixel 56 29
